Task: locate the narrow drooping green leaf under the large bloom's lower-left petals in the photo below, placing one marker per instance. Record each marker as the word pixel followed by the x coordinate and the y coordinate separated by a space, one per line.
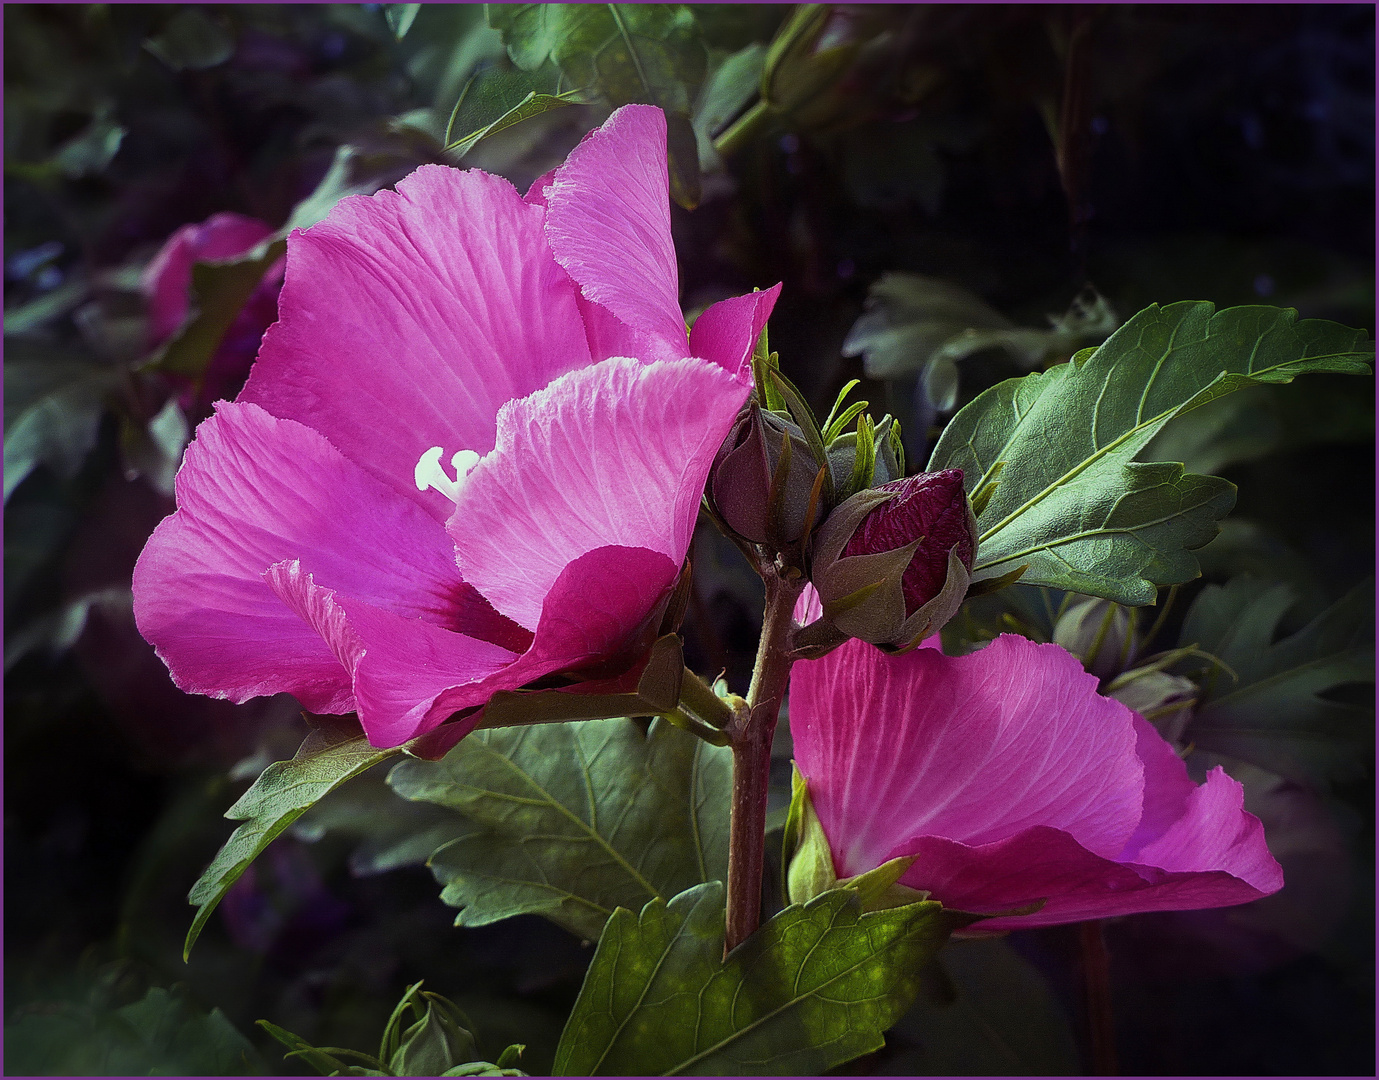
pixel 281 795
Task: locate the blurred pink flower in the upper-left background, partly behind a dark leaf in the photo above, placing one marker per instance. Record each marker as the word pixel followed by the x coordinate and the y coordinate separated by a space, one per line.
pixel 168 283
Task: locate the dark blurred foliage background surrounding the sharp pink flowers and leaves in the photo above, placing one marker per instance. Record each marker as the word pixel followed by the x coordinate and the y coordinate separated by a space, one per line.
pixel 952 195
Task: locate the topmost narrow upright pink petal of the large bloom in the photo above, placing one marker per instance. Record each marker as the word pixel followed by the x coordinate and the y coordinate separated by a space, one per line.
pixel 609 223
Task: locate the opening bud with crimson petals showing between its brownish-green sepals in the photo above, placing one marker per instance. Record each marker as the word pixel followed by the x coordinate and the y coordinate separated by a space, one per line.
pixel 894 563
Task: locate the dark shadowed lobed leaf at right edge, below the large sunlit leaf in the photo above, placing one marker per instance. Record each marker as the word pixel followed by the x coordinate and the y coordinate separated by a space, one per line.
pixel 1274 714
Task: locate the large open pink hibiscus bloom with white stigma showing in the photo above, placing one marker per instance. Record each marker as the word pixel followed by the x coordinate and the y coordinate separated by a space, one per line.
pixel 321 547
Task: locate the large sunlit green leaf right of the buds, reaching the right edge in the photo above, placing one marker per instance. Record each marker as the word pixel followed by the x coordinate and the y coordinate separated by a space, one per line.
pixel 1074 504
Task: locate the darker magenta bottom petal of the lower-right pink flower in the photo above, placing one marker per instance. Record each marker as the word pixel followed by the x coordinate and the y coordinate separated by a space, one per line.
pixel 1049 864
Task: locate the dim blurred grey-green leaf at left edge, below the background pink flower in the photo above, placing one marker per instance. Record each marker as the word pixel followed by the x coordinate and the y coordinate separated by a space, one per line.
pixel 53 406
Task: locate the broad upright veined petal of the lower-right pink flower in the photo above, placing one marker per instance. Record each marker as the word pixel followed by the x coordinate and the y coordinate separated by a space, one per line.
pixel 973 748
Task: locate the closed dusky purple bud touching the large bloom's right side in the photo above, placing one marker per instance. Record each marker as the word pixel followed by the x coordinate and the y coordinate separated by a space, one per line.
pixel 751 492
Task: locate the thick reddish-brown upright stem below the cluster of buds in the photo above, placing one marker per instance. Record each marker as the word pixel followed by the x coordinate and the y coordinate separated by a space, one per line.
pixel 752 761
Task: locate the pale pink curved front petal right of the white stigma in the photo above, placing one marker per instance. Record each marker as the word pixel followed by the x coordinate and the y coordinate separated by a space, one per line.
pixel 612 456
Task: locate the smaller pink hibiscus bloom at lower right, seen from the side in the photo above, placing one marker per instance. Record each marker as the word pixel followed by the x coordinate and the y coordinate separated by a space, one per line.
pixel 1013 781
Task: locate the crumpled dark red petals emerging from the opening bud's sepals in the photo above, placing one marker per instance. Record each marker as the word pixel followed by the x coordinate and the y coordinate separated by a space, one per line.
pixel 930 508
